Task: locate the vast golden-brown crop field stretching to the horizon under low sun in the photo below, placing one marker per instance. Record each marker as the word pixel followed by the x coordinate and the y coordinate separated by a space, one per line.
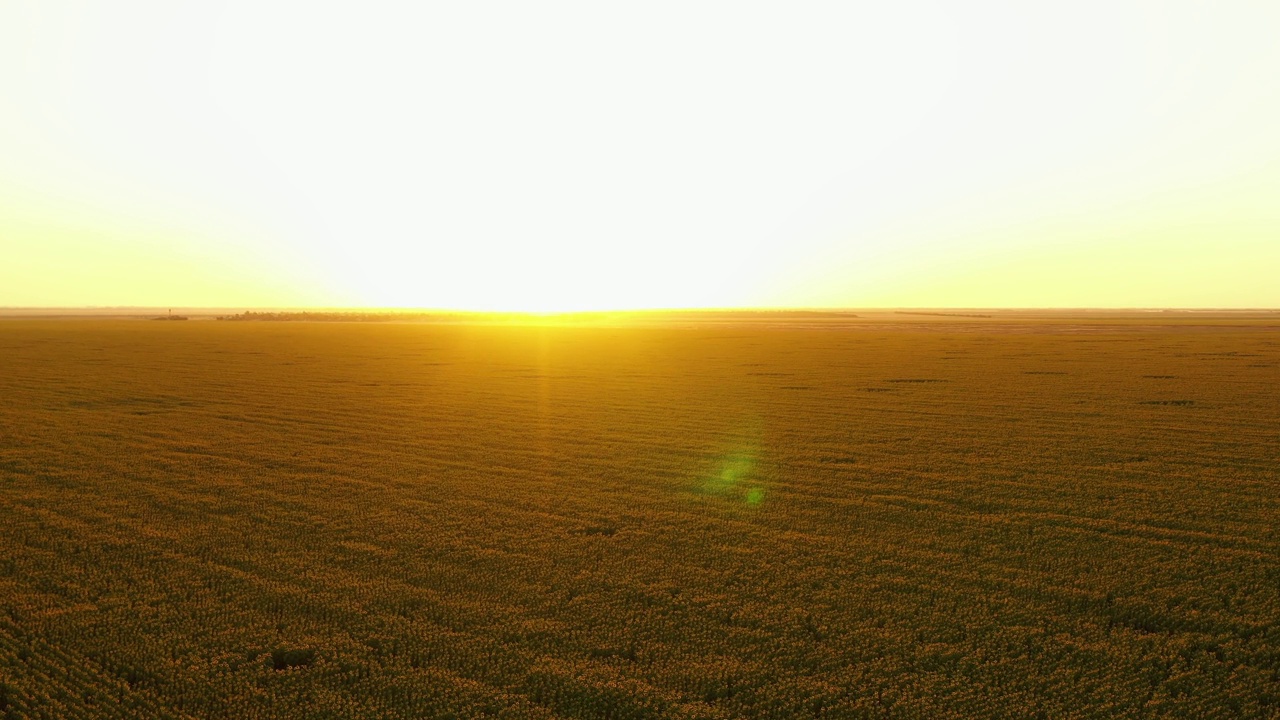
pixel 880 517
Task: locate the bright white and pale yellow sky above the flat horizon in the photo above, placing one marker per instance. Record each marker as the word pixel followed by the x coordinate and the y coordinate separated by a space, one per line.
pixel 554 156
